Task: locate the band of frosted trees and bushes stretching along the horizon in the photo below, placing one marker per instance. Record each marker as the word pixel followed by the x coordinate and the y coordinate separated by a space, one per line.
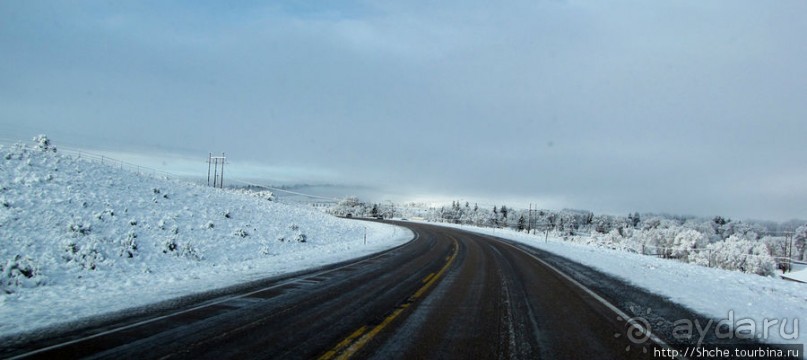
pixel 759 247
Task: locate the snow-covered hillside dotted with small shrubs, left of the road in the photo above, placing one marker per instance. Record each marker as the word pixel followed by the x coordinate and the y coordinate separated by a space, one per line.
pixel 79 239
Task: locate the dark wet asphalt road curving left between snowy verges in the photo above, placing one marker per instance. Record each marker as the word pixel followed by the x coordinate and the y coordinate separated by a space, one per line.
pixel 446 294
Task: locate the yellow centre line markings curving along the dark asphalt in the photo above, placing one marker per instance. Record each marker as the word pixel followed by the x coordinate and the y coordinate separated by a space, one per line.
pixel 353 343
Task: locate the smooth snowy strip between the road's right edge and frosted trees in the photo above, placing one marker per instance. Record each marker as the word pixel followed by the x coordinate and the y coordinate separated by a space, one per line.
pixel 721 294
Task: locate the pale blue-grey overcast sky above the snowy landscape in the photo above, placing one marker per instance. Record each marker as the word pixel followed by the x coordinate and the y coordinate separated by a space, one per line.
pixel 686 107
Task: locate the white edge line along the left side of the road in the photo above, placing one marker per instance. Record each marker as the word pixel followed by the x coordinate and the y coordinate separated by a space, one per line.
pixel 219 301
